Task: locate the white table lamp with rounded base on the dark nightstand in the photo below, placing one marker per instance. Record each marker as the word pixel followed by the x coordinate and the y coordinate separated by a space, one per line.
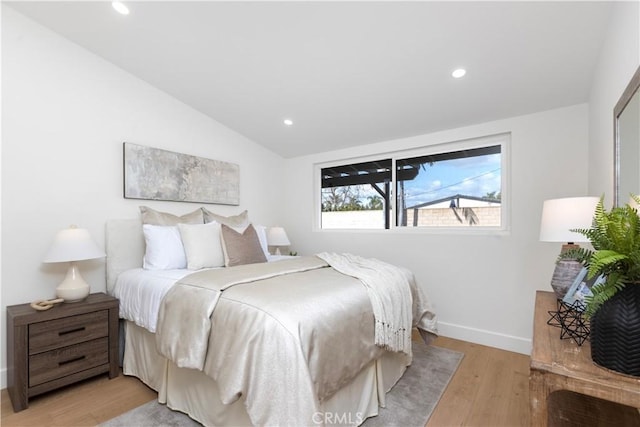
pixel 71 245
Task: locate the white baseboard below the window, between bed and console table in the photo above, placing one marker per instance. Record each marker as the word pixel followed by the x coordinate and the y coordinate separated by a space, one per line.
pixel 484 337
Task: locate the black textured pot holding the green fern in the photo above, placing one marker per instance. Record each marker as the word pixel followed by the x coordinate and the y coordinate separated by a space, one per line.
pixel 615 332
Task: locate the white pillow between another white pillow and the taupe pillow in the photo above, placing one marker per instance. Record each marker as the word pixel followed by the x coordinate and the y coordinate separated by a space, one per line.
pixel 202 245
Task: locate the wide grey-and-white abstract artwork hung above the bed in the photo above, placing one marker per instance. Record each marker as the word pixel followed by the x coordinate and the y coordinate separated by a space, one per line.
pixel 155 174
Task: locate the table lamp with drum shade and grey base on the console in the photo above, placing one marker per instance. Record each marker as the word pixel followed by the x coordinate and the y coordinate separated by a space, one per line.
pixel 559 217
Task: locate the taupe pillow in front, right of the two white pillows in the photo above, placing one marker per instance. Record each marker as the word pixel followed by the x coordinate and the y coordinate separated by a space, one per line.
pixel 241 247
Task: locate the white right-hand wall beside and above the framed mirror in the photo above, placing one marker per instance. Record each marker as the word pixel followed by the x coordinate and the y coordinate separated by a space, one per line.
pixel 619 59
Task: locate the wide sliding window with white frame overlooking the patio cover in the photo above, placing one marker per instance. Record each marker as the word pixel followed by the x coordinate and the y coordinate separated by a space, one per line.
pixel 454 185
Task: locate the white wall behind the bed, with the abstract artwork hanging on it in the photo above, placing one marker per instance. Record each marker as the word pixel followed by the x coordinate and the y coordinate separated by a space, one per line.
pixel 65 115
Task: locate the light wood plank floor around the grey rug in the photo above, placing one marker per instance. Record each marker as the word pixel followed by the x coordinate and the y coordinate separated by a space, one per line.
pixel 490 388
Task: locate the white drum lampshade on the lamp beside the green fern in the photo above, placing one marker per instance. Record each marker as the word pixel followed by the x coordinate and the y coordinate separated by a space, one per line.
pixel 559 216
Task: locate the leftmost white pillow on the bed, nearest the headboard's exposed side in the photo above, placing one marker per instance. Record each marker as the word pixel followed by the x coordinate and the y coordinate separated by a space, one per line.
pixel 164 249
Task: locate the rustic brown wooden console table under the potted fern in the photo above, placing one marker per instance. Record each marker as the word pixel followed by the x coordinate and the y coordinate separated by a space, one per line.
pixel 567 388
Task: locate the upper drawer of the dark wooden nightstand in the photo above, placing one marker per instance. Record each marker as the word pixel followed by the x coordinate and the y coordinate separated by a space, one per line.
pixel 45 336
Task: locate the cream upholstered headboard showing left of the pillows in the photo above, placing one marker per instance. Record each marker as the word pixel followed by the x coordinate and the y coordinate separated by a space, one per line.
pixel 124 243
